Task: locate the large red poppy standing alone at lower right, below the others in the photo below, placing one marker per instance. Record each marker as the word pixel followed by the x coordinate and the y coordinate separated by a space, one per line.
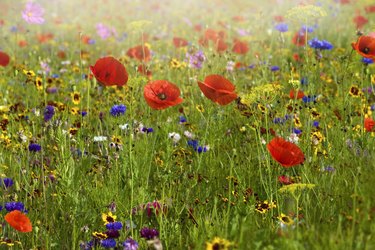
pixel 286 153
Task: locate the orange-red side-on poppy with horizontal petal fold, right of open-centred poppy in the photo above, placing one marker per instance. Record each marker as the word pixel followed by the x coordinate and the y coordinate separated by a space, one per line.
pixel 218 89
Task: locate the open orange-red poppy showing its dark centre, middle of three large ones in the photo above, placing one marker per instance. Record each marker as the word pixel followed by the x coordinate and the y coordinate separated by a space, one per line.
pixel 161 94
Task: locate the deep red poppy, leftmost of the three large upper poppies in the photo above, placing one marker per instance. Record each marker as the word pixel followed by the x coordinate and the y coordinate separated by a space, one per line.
pixel 109 72
